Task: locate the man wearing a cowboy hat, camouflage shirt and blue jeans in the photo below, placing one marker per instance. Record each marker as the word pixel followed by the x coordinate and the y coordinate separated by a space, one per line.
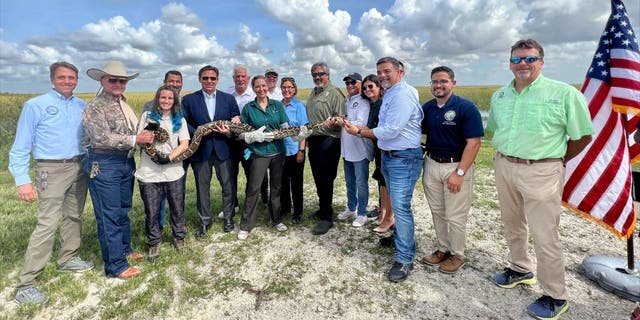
pixel 110 127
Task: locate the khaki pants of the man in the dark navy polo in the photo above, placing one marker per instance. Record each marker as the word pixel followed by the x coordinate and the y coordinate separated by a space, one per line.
pixel 449 210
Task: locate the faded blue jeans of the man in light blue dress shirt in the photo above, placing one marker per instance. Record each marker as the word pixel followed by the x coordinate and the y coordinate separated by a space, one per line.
pixel 401 170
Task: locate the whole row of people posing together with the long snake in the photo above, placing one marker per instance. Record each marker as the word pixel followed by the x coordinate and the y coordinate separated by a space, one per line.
pixel 538 125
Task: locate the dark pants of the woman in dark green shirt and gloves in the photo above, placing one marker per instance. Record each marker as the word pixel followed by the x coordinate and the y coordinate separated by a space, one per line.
pixel 259 166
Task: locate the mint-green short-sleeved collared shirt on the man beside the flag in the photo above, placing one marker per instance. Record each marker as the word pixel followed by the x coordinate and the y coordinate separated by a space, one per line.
pixel 534 124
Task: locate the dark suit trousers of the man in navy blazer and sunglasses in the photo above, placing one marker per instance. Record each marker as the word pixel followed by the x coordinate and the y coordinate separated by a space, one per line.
pixel 202 171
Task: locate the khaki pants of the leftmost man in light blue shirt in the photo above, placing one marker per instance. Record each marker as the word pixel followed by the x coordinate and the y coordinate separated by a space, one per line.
pixel 62 188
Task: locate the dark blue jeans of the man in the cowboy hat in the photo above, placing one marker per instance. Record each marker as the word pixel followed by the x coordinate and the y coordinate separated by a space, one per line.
pixel 111 189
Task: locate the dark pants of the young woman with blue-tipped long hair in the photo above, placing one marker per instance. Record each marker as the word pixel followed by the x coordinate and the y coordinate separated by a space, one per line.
pixel 153 195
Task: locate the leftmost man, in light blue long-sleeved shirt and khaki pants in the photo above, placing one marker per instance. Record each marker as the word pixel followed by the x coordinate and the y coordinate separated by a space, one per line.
pixel 50 128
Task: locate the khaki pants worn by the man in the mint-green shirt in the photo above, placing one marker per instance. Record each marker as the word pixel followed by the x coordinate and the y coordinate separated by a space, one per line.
pixel 531 194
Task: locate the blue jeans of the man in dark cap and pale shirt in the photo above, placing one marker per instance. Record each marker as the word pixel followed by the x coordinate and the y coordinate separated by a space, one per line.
pixel 356 176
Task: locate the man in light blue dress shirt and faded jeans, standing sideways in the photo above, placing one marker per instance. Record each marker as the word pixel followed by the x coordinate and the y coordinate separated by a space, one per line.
pixel 399 136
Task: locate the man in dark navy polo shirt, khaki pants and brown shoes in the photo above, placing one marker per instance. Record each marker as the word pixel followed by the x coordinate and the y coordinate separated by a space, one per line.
pixel 453 127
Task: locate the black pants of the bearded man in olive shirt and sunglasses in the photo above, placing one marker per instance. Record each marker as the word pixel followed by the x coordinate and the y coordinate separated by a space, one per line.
pixel 324 156
